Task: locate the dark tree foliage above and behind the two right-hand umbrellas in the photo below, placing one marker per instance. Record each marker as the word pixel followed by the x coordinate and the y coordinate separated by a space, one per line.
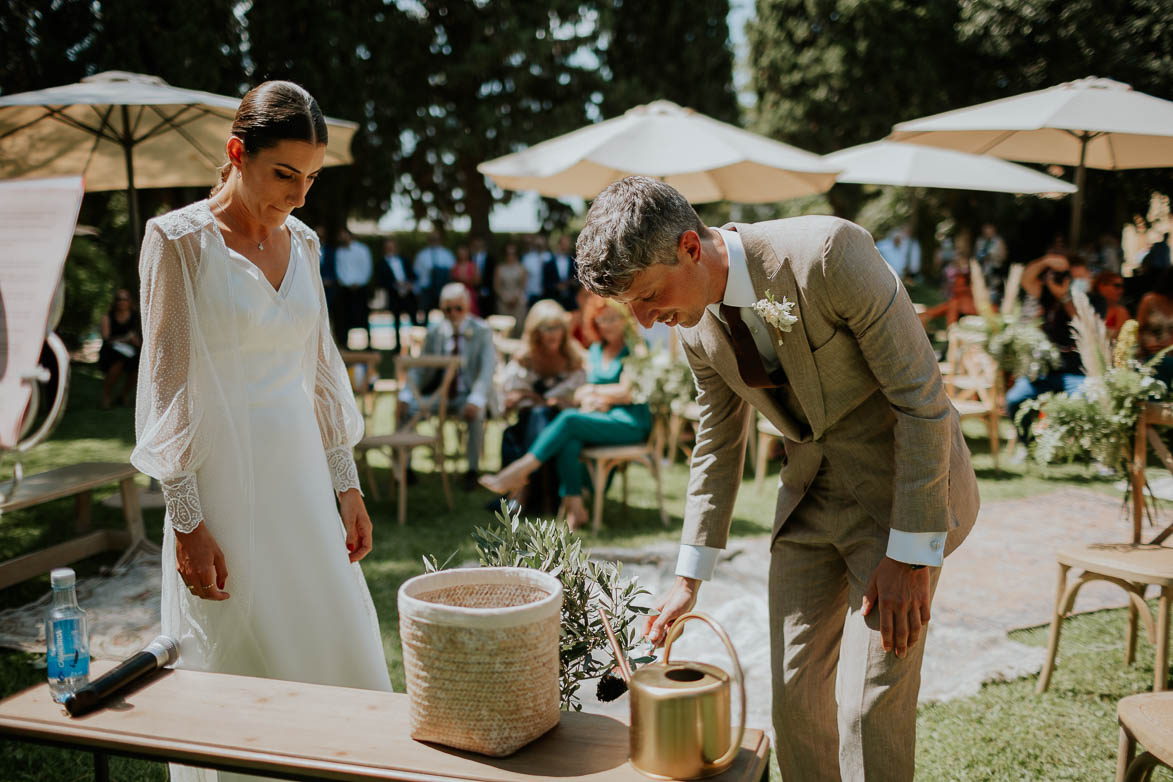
pixel 830 74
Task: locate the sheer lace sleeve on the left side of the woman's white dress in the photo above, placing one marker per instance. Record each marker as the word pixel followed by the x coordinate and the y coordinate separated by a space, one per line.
pixel 169 445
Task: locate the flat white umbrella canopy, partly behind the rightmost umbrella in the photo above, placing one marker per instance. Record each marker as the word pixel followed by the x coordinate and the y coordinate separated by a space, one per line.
pixel 913 166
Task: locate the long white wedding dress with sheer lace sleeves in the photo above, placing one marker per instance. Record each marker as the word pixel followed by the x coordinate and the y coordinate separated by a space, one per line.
pixel 247 417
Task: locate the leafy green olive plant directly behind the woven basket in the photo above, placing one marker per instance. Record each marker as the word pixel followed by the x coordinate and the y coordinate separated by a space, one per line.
pixel 585 651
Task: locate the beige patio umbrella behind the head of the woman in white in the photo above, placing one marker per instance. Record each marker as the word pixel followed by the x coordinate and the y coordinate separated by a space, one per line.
pixel 124 131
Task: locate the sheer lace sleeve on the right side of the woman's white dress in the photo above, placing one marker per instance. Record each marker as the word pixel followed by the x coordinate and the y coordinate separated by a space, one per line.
pixel 334 399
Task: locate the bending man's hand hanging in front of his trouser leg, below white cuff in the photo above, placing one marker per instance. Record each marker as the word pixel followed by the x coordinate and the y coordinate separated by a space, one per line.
pixel 903 596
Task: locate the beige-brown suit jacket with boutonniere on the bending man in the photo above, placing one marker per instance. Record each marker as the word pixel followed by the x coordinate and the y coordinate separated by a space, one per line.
pixel 860 369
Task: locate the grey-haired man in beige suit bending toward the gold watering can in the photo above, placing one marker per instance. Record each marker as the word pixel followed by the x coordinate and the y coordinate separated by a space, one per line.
pixel 803 322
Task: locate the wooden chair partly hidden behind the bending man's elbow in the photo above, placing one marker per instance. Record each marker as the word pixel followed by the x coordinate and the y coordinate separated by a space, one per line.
pixel 973 383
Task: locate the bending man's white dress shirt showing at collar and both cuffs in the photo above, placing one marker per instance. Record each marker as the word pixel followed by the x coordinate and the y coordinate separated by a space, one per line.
pixel 700 562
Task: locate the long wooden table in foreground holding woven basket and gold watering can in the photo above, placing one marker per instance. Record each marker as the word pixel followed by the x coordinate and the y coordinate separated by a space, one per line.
pixel 310 732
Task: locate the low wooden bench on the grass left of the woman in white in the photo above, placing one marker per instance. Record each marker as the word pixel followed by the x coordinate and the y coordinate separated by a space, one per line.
pixel 76 481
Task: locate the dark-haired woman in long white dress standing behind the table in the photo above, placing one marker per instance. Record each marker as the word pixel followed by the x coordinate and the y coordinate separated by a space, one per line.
pixel 247 417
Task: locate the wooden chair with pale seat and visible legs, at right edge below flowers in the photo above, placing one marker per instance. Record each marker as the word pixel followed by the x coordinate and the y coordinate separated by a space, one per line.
pixel 1133 567
